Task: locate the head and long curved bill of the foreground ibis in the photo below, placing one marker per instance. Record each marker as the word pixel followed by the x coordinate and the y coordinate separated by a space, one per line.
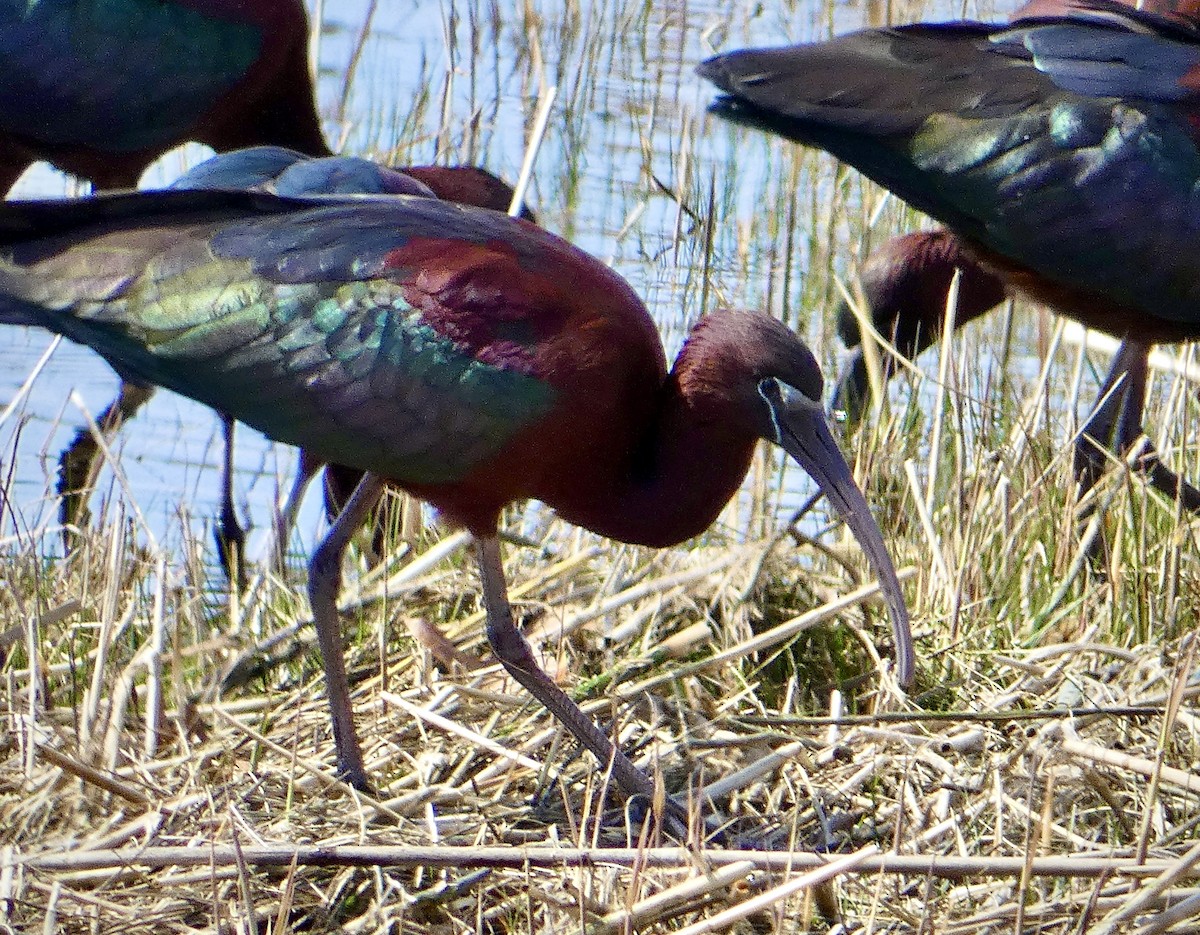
pixel 776 383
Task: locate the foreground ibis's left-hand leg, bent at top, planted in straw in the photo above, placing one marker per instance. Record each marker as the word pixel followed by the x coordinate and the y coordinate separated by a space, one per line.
pixel 325 580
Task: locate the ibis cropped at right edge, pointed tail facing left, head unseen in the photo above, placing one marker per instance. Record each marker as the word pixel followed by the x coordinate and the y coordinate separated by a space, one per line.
pixel 1060 151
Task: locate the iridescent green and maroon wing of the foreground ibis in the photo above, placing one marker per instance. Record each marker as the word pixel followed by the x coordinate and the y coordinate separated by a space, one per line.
pixel 397 335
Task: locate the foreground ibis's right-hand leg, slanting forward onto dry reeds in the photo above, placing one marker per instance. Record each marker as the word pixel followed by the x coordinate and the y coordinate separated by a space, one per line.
pixel 513 650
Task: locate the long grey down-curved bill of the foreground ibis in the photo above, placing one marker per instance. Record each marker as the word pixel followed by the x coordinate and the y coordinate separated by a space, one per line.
pixel 803 431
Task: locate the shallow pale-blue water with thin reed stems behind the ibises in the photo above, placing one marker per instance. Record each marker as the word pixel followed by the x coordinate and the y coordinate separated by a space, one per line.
pixel 629 143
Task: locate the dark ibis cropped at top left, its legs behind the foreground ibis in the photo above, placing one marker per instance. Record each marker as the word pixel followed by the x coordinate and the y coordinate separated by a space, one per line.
pixel 103 91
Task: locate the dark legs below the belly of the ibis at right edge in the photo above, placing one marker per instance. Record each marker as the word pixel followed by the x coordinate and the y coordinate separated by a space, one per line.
pixel 1117 424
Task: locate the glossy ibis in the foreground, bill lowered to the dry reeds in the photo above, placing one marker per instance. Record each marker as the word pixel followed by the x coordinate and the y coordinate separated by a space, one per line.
pixel 473 359
